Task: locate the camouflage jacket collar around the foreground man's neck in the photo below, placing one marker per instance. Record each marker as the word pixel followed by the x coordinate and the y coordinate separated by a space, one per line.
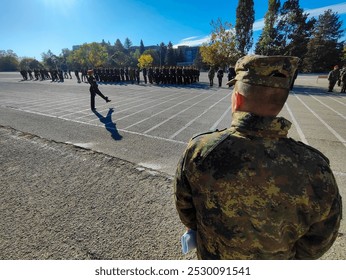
pixel 251 124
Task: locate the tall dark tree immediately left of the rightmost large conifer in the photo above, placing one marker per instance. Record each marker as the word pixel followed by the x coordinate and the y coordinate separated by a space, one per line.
pixel 294 29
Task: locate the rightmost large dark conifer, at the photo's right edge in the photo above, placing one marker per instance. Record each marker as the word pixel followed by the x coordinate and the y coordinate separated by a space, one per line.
pixel 324 48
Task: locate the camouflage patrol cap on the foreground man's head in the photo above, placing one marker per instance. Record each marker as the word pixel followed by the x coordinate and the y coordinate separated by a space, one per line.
pixel 269 71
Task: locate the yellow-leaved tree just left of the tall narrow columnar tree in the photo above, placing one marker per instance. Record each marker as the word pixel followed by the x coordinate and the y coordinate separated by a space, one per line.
pixel 221 49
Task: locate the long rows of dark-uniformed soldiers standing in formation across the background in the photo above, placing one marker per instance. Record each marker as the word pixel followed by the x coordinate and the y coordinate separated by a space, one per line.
pixel 153 75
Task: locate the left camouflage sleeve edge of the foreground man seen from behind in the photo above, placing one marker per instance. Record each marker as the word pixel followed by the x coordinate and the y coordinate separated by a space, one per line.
pixel 183 197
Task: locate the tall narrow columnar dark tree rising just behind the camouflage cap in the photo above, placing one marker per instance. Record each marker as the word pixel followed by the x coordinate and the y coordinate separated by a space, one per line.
pixel 267 43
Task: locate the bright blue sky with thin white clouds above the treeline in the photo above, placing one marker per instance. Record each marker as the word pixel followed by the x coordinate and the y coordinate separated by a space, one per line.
pixel 31 27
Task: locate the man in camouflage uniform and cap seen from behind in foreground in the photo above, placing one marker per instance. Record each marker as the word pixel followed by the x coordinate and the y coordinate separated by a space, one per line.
pixel 249 191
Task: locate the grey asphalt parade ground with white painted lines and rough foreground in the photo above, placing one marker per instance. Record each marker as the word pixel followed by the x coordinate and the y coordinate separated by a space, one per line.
pixel 78 184
